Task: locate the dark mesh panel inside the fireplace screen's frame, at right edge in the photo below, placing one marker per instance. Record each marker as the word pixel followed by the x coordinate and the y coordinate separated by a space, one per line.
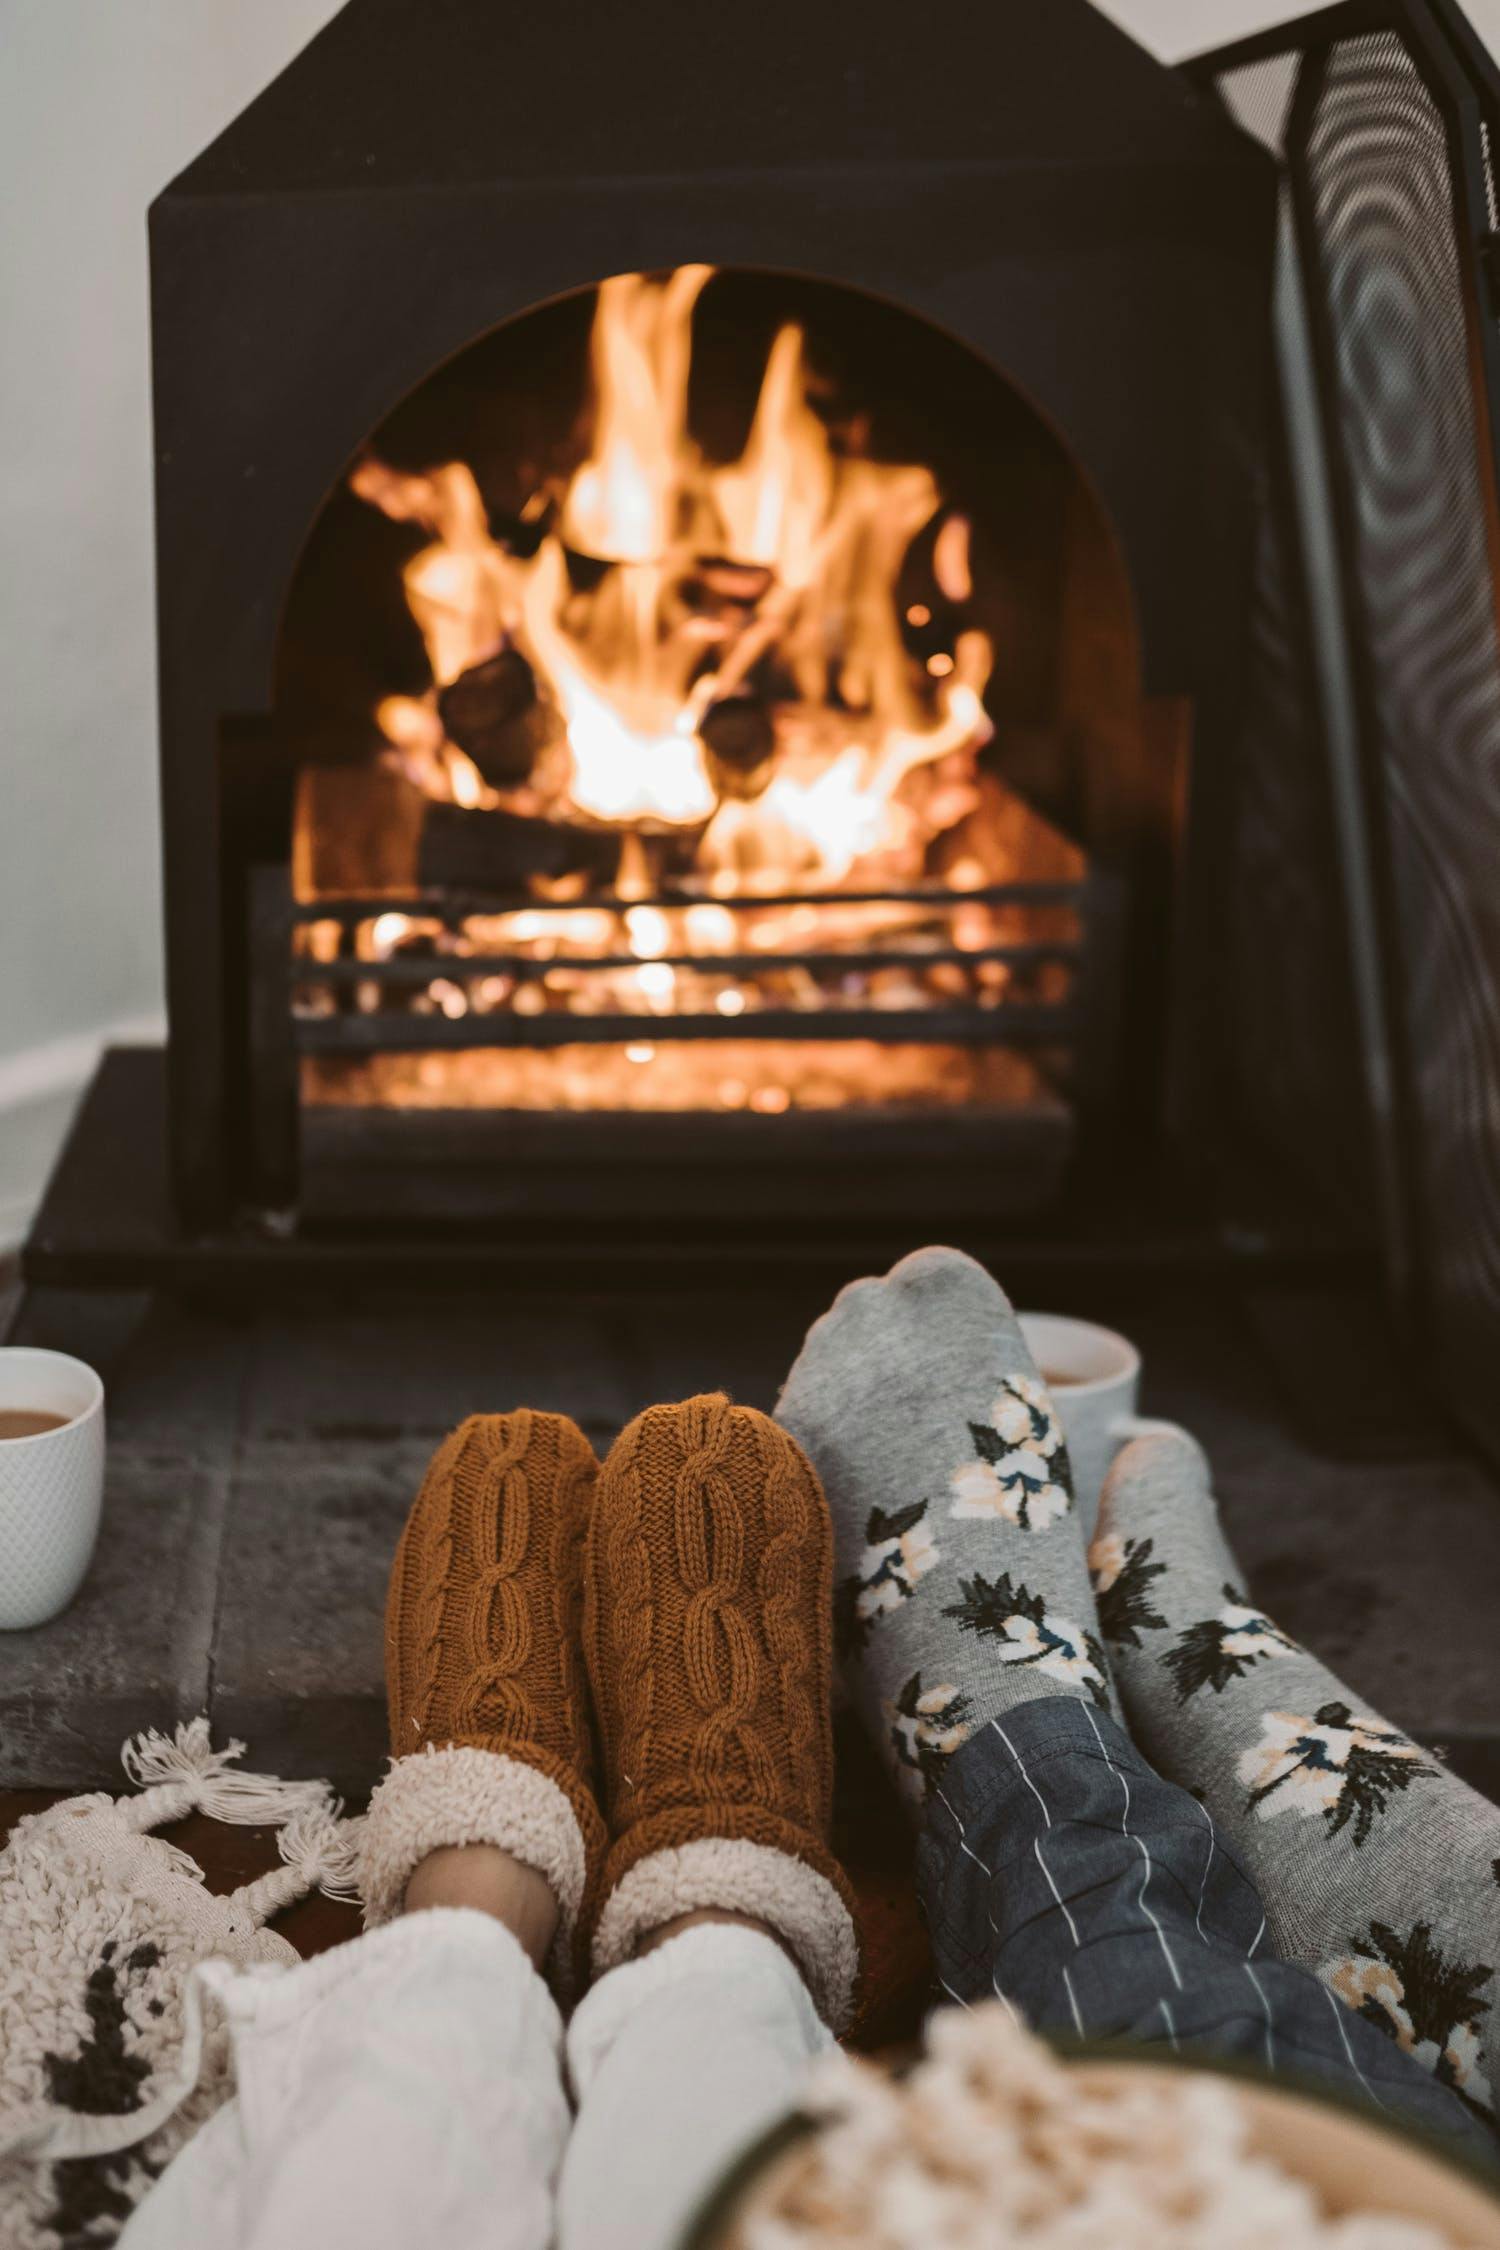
pixel 1407 408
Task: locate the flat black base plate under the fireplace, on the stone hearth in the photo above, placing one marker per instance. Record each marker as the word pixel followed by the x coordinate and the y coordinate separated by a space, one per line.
pixel 107 1221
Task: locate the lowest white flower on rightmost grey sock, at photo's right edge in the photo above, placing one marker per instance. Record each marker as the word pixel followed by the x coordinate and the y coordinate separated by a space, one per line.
pixel 1422 1999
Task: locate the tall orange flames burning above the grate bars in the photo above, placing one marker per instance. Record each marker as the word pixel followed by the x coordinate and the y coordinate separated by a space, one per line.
pixel 732 658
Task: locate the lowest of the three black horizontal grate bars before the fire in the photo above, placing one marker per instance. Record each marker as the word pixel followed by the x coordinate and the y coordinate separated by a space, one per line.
pixel 1029 1025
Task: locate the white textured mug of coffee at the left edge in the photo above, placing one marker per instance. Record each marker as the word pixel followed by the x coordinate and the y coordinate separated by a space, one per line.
pixel 51 1484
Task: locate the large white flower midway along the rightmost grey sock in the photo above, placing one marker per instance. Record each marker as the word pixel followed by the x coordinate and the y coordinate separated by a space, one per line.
pixel 1339 1765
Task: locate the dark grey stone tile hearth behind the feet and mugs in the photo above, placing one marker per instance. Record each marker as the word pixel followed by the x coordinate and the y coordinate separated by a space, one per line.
pixel 262 1466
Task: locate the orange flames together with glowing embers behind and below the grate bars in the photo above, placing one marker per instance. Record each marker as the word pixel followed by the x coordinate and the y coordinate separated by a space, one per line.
pixel 739 710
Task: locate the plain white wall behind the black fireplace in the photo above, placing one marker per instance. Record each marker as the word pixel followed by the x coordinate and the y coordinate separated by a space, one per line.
pixel 100 105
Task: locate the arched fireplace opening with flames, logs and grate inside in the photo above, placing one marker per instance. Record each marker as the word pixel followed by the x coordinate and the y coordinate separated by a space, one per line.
pixel 712 701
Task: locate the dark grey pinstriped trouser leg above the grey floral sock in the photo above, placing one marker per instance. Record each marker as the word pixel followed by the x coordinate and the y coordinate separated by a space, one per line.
pixel 1060 1873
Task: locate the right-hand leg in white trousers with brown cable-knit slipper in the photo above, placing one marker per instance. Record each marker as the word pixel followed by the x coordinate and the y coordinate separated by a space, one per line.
pixel 721 1936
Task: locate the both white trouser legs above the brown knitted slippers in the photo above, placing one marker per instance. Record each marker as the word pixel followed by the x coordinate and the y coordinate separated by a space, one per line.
pixel 408 2089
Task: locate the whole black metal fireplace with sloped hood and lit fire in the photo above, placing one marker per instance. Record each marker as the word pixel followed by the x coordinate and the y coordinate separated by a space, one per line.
pixel 784 789
